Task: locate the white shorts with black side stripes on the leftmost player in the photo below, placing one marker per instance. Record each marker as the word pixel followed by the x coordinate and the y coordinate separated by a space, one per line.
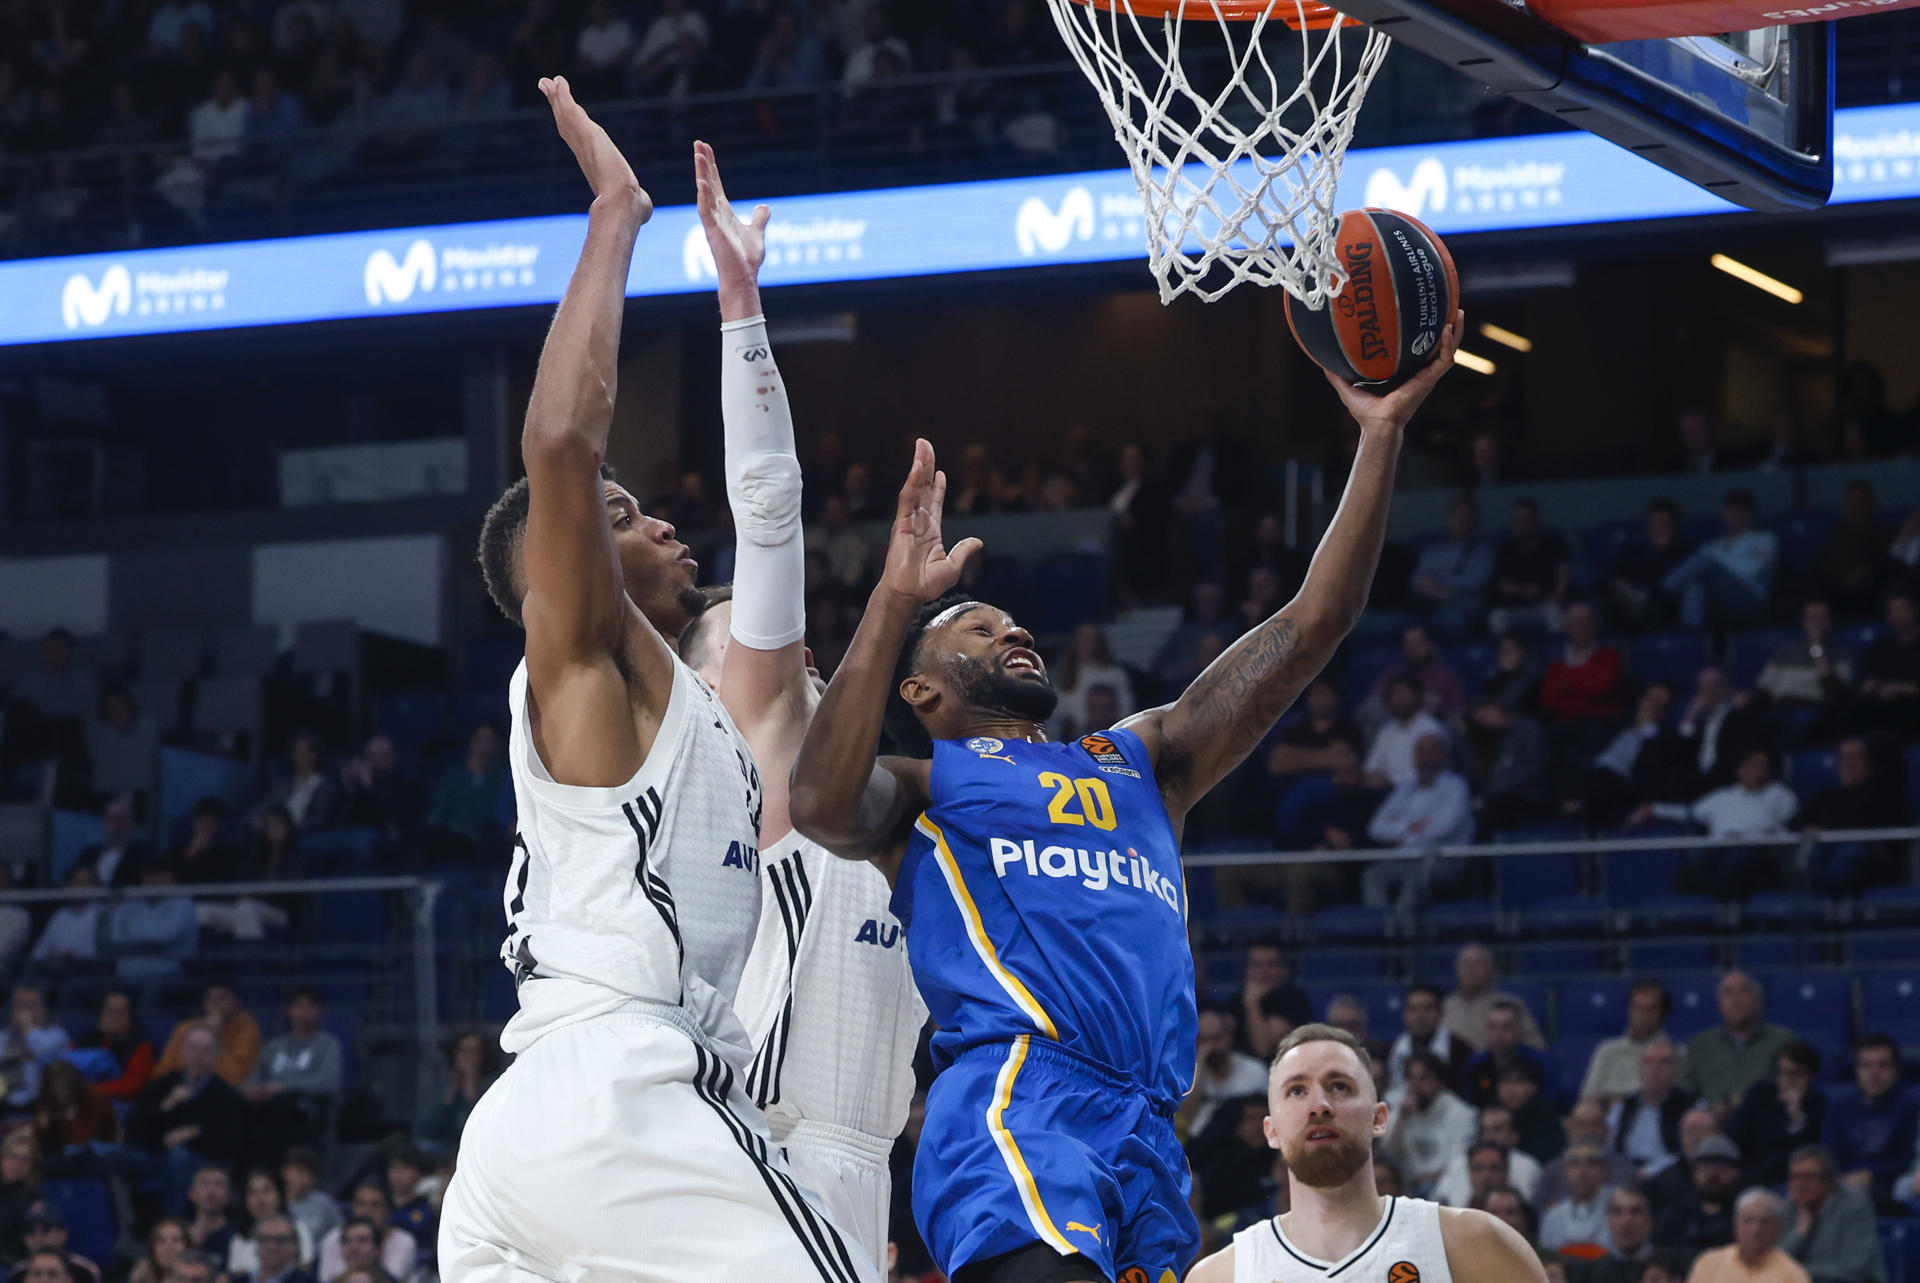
pixel 623 1150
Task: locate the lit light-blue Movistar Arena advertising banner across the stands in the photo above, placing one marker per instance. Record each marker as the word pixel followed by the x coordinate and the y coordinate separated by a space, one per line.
pixel 917 231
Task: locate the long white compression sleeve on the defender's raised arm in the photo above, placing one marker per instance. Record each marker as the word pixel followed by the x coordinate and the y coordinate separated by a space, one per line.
pixel 763 487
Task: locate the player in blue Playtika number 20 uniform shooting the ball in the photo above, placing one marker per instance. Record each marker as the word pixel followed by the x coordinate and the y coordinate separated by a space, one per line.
pixel 1042 884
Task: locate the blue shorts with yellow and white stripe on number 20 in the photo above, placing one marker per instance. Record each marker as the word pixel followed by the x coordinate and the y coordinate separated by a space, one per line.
pixel 1030 1144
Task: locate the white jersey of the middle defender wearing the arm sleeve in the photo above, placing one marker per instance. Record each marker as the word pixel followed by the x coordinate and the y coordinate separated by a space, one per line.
pixel 828 998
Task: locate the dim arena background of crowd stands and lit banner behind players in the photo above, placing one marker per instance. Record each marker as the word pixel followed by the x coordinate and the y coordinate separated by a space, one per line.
pixel 1621 762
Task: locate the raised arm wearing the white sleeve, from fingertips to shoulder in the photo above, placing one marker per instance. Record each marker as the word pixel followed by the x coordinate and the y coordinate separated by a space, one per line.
pixel 763 679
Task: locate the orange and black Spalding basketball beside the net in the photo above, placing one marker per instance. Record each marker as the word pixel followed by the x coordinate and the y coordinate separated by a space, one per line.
pixel 1385 326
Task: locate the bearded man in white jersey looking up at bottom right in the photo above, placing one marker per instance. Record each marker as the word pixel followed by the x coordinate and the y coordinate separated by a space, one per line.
pixel 1324 1119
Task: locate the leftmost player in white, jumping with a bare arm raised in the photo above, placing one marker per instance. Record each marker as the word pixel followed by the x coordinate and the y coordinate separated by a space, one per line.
pixel 619 1146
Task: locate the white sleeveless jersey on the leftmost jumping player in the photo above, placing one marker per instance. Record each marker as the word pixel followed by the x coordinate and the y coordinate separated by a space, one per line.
pixel 648 890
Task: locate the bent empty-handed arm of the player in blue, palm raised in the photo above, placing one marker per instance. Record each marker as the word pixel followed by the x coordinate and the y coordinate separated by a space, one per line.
pixel 840 794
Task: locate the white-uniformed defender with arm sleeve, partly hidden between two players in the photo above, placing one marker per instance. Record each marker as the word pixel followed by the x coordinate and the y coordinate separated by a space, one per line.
pixel 828 996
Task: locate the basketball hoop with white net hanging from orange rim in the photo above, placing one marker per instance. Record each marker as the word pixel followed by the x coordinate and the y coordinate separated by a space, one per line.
pixel 1249 170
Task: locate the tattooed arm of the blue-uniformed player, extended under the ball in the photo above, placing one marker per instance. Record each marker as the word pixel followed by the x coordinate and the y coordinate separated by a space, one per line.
pixel 1230 708
